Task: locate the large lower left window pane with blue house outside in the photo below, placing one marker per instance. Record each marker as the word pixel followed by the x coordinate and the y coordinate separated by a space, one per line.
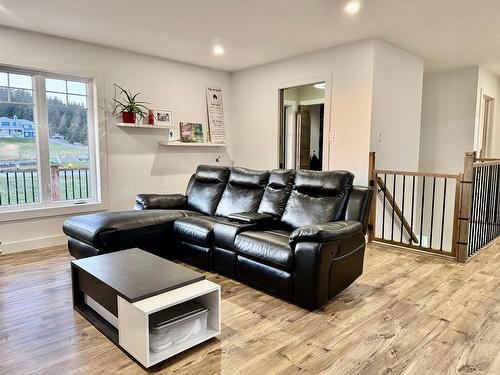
pixel 18 155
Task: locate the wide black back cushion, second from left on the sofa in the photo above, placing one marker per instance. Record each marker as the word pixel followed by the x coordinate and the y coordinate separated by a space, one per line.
pixel 243 191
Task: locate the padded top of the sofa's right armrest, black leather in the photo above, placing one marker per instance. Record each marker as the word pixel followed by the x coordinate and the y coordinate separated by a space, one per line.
pixel 329 232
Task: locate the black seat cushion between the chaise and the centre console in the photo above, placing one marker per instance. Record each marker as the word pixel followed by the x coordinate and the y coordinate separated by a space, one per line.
pixel 198 229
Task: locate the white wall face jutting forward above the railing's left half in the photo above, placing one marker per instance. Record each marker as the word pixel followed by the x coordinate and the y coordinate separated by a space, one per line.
pixel 396 107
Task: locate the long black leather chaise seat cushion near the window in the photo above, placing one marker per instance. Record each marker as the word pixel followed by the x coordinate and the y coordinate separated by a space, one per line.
pixel 107 230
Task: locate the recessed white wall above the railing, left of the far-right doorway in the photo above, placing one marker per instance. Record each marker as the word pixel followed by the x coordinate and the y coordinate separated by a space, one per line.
pixel 448 118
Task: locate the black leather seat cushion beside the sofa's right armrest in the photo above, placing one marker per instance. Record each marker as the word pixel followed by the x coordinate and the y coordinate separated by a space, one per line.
pixel 268 247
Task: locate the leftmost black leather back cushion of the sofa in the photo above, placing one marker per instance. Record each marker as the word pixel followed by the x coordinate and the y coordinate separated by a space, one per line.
pixel 206 188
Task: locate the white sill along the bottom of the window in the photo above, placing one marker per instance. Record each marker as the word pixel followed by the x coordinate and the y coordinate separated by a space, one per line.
pixel 34 212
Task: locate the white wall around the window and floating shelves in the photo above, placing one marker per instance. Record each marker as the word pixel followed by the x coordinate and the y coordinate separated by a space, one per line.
pixel 136 163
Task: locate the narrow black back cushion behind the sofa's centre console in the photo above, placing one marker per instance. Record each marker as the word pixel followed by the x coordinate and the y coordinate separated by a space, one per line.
pixel 277 192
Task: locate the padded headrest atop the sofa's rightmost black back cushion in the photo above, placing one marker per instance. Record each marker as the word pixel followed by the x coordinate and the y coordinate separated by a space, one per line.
pixel 323 183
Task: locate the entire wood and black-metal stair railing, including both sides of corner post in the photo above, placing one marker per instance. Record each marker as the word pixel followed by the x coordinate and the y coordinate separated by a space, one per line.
pixel 453 215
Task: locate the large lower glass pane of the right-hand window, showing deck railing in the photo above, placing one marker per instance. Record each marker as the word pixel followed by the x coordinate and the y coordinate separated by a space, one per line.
pixel 69 151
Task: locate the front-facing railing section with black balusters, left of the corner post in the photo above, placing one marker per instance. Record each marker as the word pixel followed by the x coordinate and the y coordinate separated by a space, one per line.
pixel 414 210
